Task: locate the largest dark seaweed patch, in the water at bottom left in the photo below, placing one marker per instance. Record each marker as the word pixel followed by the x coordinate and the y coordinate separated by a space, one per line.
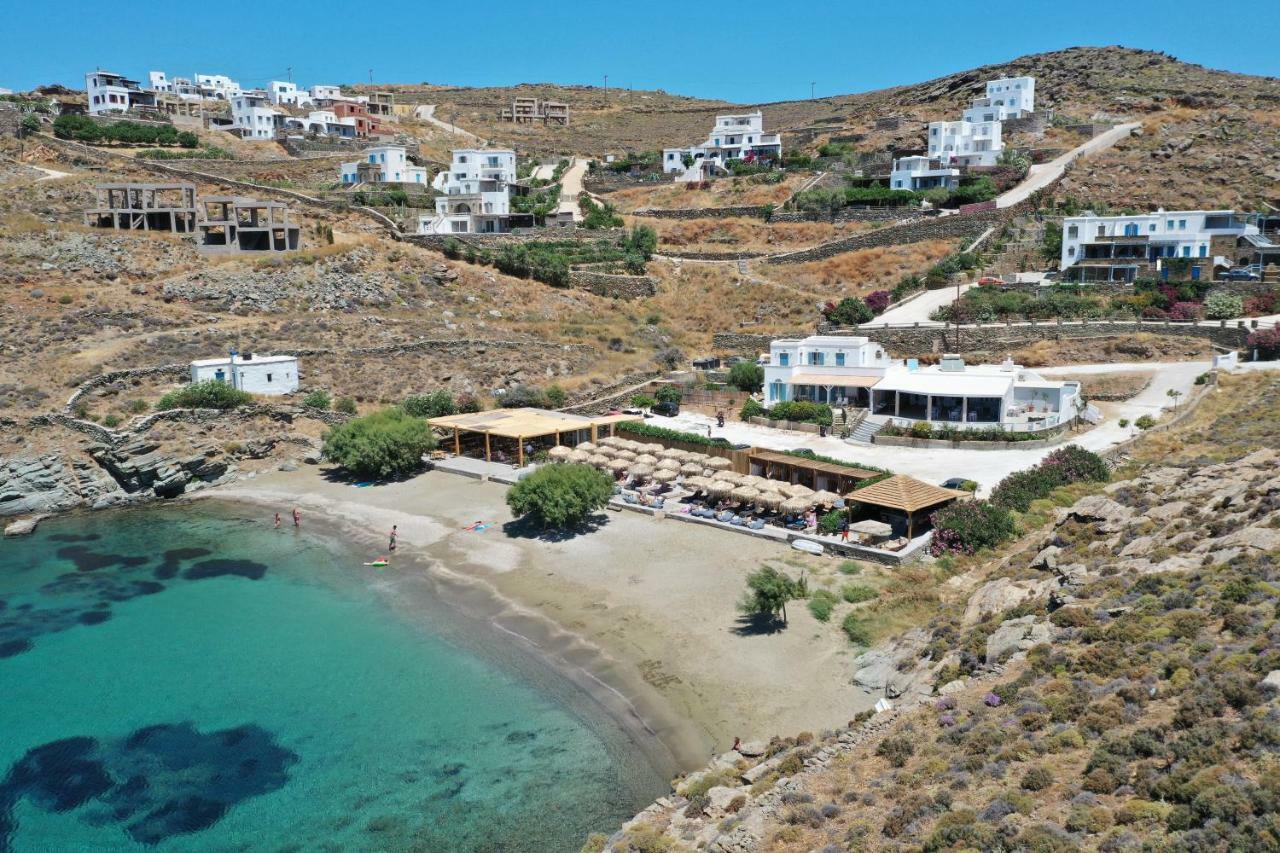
pixel 161 782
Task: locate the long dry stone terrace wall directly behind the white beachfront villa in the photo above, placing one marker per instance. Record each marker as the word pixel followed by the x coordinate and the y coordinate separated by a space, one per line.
pixel 939 339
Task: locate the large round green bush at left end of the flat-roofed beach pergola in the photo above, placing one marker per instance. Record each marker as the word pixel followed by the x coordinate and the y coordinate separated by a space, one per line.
pixel 387 444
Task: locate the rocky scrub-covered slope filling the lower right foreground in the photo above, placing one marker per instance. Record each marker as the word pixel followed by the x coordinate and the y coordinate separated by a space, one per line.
pixel 1110 683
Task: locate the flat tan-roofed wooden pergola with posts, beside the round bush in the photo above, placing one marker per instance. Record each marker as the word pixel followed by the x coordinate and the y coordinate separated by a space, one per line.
pixel 527 425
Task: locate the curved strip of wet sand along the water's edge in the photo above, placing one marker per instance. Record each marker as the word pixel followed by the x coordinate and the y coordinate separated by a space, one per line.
pixel 668 741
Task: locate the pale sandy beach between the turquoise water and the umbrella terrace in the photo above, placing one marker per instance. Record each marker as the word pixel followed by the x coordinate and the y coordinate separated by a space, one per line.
pixel 642 613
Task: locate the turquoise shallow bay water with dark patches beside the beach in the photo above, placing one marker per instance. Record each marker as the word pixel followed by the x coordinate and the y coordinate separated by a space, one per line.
pixel 191 679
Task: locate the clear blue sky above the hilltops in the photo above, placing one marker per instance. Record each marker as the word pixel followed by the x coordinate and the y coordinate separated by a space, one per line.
pixel 744 52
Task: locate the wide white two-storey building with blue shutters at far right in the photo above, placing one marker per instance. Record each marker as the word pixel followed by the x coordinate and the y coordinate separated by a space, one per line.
pixel 1127 248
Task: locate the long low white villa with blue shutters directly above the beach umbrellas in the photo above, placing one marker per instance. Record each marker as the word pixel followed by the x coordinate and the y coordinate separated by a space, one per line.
pixel 854 372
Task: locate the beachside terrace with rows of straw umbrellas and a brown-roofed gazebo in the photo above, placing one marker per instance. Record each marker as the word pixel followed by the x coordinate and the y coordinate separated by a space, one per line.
pixel 703 486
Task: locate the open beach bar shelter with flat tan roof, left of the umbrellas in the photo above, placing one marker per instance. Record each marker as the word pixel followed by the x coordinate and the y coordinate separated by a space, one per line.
pixel 511 435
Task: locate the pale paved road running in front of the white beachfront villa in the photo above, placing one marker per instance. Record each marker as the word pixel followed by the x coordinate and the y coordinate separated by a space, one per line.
pixel 988 468
